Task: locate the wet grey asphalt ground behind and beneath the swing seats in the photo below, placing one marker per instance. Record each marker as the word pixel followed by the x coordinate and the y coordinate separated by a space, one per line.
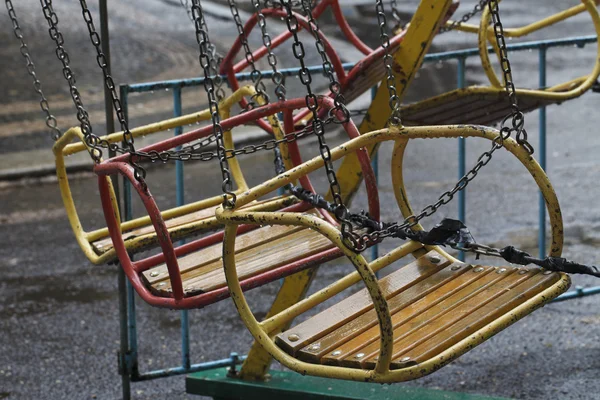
pixel 59 316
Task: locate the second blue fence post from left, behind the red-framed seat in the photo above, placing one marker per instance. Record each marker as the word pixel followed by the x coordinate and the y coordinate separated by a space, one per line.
pixel 180 198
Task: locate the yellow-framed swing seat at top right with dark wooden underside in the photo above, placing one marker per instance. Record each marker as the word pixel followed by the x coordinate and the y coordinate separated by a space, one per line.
pixel 488 105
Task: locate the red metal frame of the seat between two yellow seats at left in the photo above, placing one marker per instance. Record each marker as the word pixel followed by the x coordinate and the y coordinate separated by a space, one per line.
pixel 169 255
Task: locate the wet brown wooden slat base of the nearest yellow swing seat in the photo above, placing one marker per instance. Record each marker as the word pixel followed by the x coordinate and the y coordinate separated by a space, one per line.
pixel 432 306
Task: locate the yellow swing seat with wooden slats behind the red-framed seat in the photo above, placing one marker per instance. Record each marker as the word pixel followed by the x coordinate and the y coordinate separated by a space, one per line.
pixel 184 221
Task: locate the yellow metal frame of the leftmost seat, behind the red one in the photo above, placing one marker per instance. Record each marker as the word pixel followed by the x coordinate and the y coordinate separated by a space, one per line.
pixel 67 145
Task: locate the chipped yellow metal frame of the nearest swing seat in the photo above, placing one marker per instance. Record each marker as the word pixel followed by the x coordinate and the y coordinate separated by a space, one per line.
pixel 264 332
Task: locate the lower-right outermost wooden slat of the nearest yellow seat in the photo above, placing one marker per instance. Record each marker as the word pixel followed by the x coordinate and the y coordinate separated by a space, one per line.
pixel 452 334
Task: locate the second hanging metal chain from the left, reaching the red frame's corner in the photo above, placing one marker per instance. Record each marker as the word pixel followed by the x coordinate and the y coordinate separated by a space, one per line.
pixel 82 115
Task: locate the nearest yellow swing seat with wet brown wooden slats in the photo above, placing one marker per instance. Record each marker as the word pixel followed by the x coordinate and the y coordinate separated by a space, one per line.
pixel 414 320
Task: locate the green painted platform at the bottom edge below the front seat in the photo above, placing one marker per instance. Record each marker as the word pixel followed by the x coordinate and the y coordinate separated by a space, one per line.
pixel 292 386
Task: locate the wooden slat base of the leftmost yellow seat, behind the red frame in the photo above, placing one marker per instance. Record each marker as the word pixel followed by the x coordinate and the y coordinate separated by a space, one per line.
pixel 182 226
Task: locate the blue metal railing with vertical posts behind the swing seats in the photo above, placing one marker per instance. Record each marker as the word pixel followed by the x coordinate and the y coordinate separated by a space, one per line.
pixel 129 360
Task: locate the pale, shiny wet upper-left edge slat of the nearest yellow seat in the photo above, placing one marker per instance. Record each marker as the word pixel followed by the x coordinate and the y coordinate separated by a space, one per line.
pixel 355 305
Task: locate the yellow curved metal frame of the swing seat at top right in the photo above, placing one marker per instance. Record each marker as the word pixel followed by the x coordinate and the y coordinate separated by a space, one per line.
pixel 556 93
